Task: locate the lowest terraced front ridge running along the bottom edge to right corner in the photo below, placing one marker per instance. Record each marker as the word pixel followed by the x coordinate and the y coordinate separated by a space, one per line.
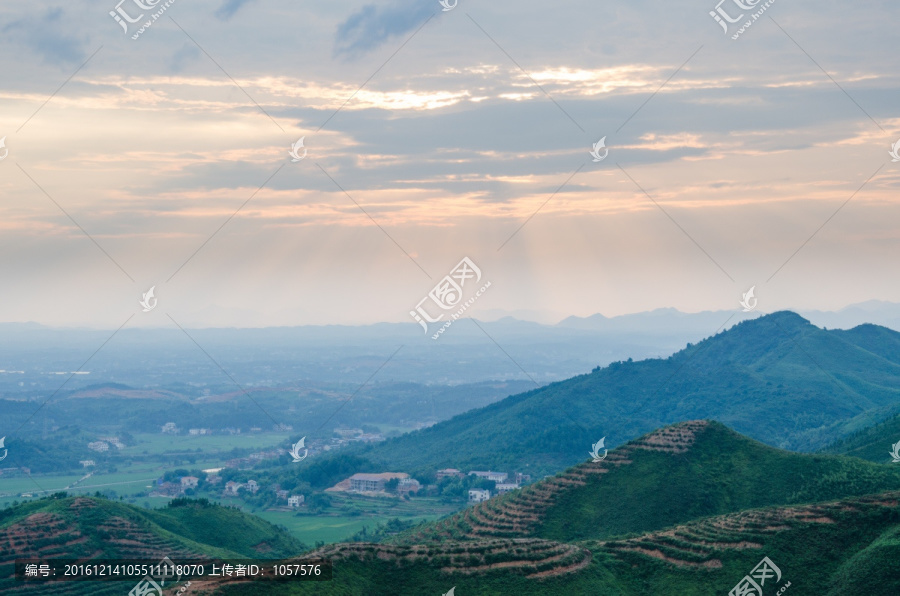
pixel 828 549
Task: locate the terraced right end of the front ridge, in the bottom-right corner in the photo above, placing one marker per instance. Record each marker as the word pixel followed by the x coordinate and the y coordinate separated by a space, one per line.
pixel 800 539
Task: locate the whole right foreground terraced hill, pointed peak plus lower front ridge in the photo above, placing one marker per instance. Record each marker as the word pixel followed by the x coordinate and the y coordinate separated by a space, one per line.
pixel 687 510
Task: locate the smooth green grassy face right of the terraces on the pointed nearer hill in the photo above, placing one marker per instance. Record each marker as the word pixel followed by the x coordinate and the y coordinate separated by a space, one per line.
pixel 722 472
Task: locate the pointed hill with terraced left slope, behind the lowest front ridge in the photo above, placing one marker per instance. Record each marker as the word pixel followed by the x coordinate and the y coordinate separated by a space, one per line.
pixel 675 474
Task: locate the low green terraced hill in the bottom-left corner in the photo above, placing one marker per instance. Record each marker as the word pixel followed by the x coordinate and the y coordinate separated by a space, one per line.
pixel 83 527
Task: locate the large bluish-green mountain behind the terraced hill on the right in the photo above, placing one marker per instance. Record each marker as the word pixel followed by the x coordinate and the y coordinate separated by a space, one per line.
pixel 776 378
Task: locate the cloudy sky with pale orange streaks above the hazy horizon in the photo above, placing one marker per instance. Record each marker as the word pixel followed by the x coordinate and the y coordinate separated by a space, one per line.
pixel 434 135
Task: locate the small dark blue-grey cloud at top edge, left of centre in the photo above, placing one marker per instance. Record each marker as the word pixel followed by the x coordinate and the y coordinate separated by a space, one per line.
pixel 372 25
